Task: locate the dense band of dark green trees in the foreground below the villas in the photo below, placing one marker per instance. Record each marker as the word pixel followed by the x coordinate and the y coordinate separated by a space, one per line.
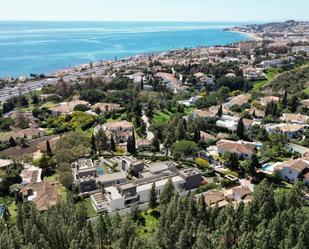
pixel 275 219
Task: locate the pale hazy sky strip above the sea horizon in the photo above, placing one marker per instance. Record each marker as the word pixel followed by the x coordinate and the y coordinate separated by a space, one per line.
pixel 155 10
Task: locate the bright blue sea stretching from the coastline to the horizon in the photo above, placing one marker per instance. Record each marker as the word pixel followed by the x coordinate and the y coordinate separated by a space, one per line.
pixel 42 47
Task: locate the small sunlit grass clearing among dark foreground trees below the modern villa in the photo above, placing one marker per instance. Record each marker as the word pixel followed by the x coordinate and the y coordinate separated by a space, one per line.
pixel 150 218
